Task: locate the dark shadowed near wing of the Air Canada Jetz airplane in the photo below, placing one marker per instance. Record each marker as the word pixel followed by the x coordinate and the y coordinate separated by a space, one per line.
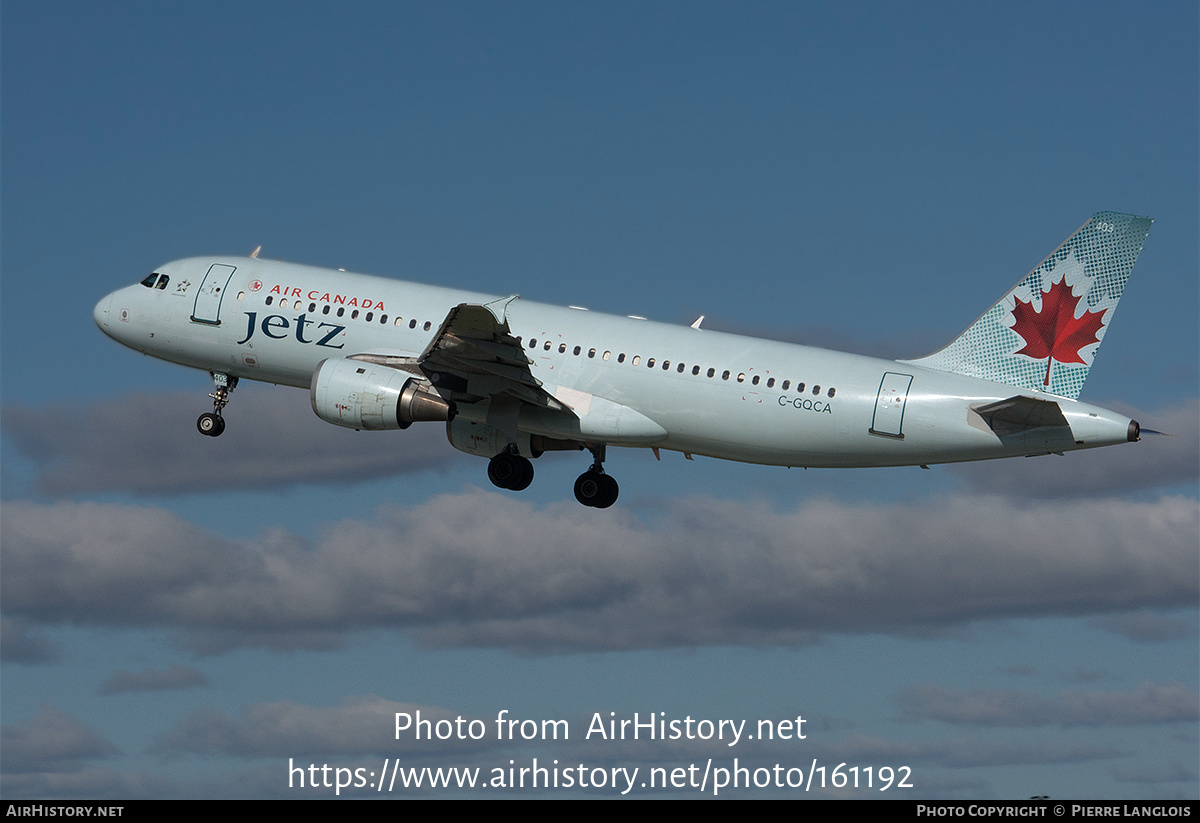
pixel 475 357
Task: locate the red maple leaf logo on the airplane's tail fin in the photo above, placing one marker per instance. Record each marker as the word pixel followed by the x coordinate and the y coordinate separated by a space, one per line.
pixel 1055 333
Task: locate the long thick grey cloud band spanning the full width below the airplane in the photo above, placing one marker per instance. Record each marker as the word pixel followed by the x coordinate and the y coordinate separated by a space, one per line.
pixel 479 569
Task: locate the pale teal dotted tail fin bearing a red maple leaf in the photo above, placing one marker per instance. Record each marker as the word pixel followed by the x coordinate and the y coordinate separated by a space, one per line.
pixel 1043 335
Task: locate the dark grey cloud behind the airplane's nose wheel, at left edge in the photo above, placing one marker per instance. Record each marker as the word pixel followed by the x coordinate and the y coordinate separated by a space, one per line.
pixel 149 443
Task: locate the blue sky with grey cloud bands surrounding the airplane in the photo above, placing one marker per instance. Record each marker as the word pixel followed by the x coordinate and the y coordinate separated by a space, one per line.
pixel 183 616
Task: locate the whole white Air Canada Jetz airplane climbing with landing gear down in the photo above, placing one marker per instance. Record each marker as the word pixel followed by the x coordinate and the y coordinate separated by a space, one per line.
pixel 513 380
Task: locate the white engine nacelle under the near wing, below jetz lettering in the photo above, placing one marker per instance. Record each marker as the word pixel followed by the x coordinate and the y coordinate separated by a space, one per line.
pixel 361 395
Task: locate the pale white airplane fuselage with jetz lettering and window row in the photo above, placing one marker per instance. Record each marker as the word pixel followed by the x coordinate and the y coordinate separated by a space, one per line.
pixel 674 388
